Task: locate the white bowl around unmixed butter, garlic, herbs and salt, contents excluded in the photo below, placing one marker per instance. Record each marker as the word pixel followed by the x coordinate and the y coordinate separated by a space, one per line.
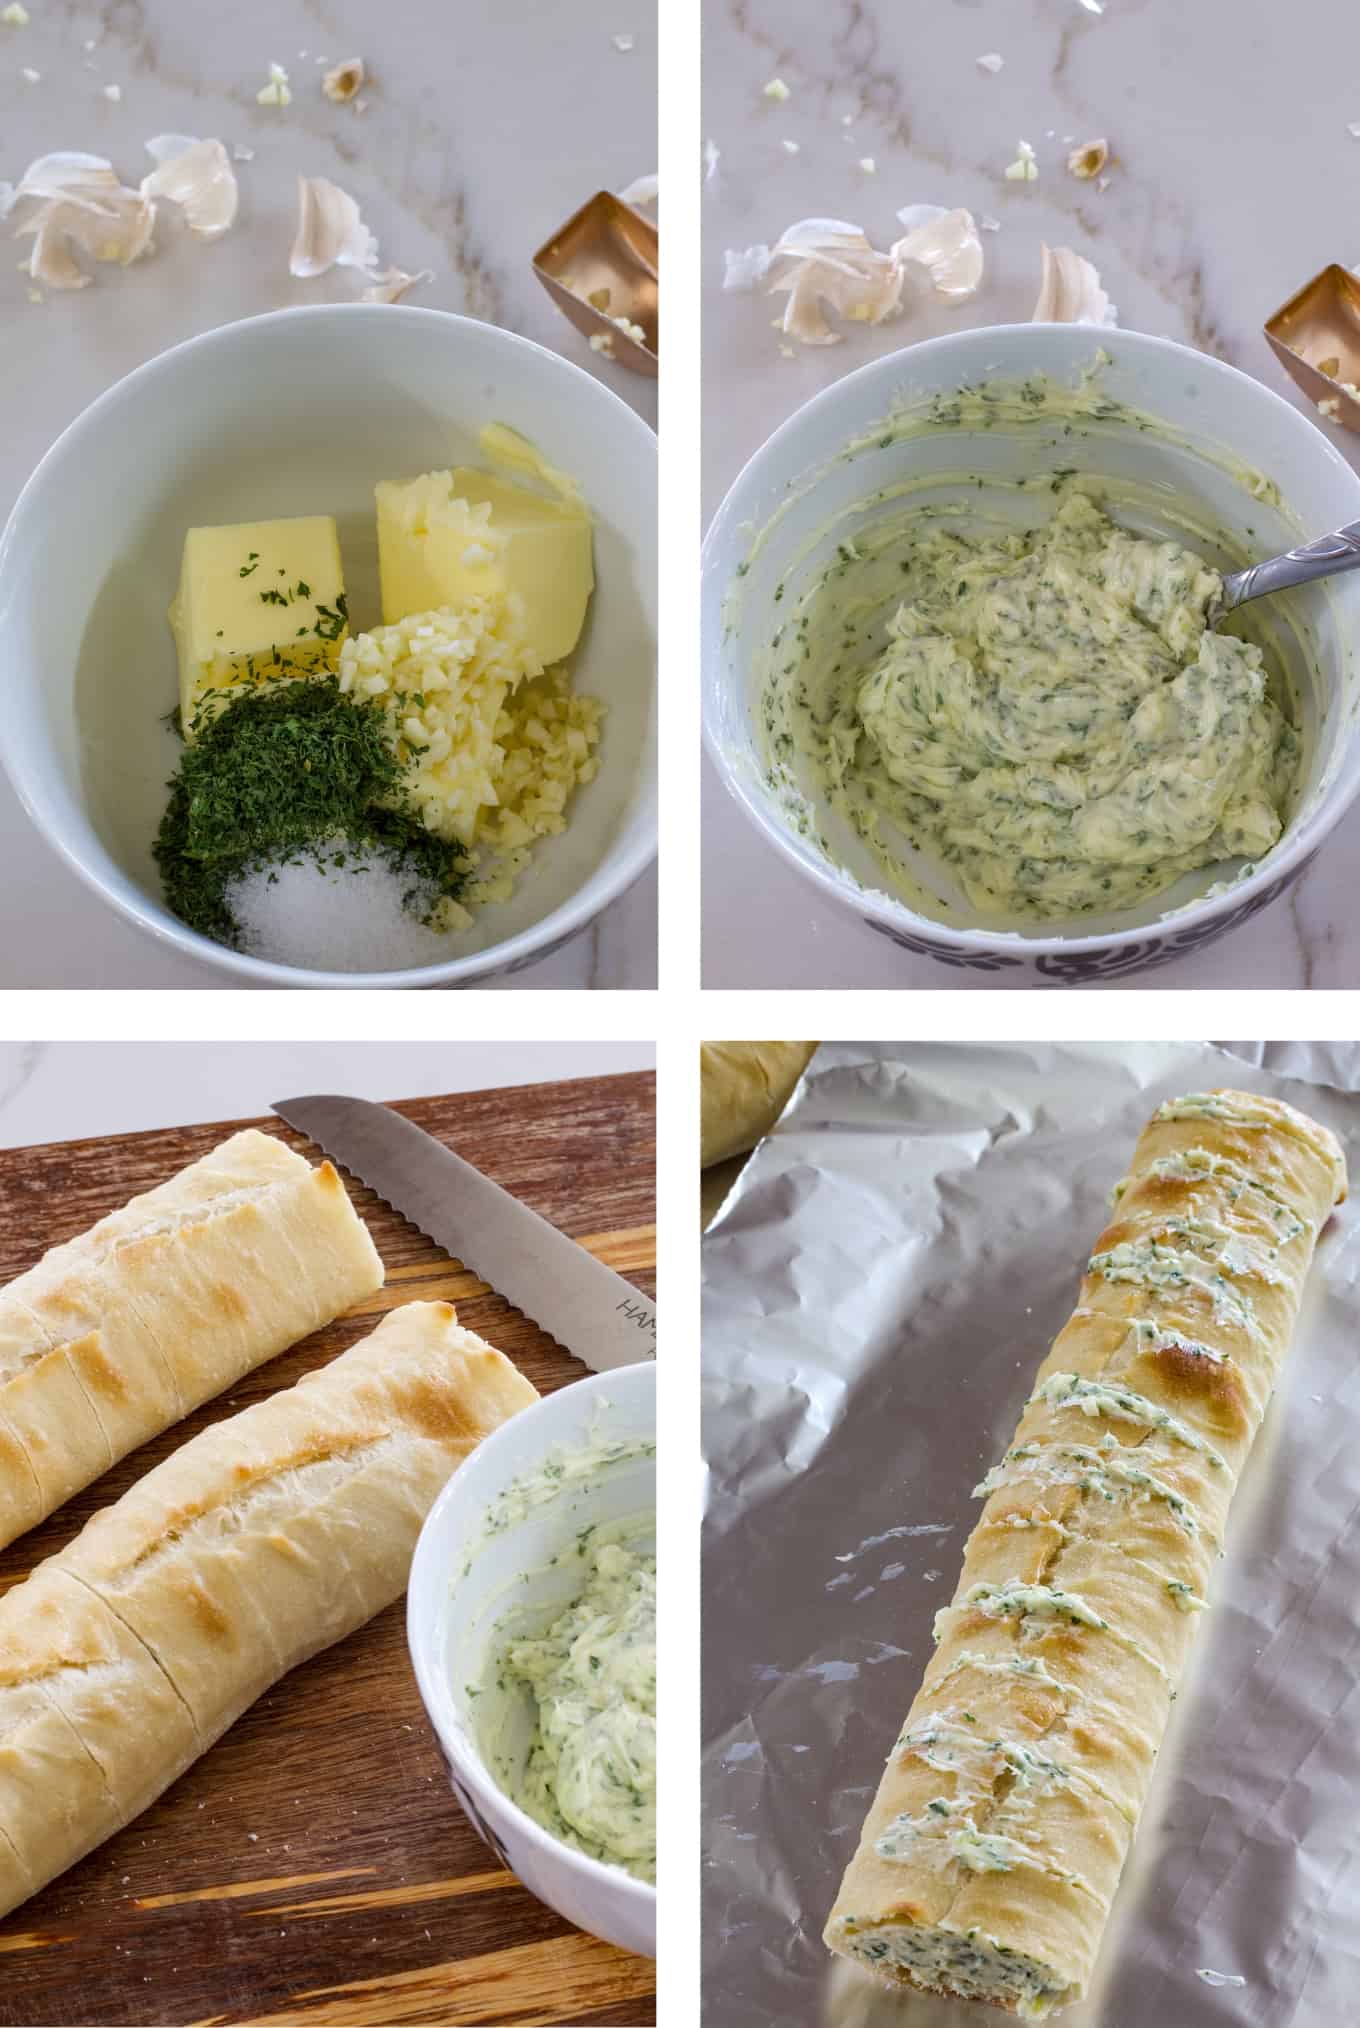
pixel 303 413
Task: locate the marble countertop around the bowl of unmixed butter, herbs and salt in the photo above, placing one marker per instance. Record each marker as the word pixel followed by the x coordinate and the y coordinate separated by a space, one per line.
pixel 481 131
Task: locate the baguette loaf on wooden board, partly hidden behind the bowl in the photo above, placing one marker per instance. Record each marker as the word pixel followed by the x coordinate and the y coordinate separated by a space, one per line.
pixel 260 1542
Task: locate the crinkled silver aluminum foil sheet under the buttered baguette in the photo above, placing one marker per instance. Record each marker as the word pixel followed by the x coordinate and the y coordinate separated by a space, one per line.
pixel 881 1291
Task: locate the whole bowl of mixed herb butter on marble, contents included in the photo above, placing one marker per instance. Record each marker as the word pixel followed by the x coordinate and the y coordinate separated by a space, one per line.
pixel 958 664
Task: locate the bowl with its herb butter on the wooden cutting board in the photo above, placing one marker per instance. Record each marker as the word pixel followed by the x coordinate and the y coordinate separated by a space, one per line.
pixel 532 1621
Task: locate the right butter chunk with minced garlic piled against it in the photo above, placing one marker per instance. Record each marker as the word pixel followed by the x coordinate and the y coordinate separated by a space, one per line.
pixel 449 536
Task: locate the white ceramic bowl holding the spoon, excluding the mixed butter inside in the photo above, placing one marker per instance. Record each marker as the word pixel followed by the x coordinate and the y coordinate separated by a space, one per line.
pixel 806 494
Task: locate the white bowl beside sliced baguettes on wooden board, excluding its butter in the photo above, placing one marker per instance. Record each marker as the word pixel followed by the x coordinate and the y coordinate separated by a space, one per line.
pixel 465 1583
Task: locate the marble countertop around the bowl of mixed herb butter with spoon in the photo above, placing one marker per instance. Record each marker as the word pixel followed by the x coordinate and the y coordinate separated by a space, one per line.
pixel 1235 182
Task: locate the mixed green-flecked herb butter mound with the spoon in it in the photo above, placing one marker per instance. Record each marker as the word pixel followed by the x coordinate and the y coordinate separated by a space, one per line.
pixel 1049 715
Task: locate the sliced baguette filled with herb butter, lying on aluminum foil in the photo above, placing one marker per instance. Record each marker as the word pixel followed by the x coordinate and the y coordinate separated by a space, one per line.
pixel 1004 1818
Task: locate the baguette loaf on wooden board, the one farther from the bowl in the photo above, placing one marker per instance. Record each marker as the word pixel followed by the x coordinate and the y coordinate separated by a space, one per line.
pixel 161 1307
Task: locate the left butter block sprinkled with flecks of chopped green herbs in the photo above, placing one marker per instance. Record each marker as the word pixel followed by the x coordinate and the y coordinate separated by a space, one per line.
pixel 256 601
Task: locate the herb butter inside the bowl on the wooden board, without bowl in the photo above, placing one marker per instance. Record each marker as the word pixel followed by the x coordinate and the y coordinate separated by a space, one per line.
pixel 593 1765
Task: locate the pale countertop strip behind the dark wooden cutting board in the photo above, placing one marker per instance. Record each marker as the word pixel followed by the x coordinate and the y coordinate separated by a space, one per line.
pixel 54 1092
